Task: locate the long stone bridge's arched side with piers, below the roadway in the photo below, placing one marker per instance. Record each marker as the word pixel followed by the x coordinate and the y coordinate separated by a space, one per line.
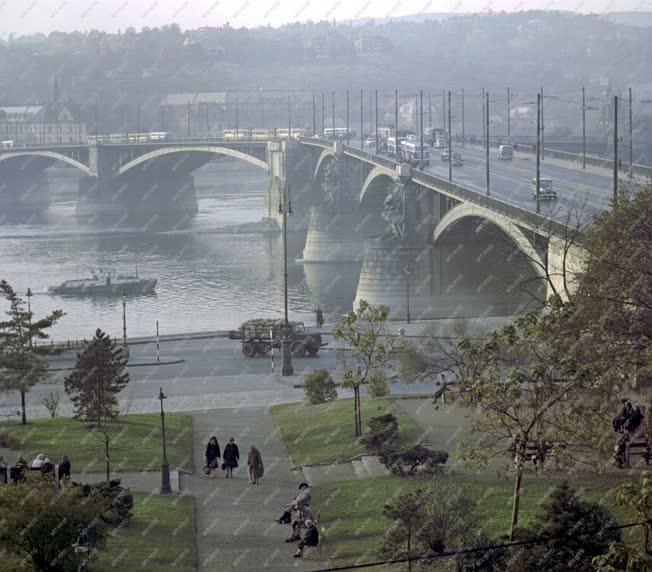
pixel 450 250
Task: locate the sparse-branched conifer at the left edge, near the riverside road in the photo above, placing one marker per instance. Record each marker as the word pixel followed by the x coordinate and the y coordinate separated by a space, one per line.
pixel 22 363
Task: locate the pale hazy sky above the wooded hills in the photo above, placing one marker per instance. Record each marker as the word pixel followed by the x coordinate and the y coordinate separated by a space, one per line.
pixel 29 16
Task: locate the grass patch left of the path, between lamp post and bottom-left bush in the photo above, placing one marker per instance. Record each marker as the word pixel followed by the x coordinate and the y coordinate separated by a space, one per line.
pixel 159 537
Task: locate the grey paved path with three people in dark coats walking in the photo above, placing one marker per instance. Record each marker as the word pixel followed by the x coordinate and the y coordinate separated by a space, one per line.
pixel 235 520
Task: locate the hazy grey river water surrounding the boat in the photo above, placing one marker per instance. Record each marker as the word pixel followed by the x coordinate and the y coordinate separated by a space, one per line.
pixel 208 279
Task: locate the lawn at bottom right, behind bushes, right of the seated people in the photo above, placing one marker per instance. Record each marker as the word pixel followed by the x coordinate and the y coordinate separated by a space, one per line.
pixel 351 512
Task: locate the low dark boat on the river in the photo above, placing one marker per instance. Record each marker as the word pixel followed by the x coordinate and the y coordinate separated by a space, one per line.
pixel 107 283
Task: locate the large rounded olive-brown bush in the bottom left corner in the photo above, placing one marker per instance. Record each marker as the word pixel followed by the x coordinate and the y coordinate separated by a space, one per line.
pixel 41 523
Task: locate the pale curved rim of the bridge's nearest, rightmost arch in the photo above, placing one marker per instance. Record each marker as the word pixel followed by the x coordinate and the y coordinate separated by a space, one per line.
pixel 468 210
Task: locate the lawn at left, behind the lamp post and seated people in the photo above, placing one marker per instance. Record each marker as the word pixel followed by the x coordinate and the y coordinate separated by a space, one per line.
pixel 136 446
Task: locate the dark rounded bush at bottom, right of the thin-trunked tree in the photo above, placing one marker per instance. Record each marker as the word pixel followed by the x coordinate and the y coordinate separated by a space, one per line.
pixel 578 531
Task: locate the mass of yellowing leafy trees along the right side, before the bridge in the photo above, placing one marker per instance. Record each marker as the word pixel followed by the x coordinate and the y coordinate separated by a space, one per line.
pixel 549 384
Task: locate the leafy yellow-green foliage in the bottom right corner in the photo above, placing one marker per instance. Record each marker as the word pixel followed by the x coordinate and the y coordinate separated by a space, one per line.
pixel 632 557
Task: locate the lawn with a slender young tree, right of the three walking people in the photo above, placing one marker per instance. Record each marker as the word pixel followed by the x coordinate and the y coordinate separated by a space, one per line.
pixel 323 433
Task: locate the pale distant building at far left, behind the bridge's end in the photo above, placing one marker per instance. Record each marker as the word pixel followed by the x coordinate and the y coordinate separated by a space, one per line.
pixel 46 124
